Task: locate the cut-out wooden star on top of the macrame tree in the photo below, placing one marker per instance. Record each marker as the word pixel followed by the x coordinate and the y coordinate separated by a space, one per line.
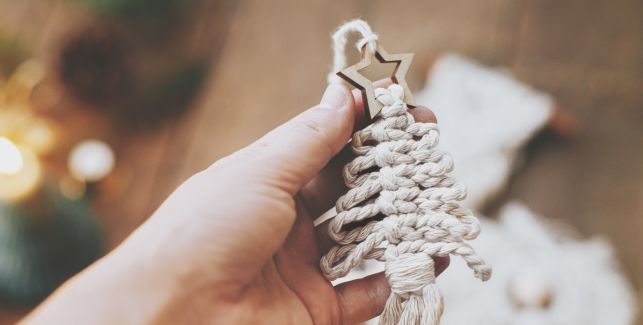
pixel 351 74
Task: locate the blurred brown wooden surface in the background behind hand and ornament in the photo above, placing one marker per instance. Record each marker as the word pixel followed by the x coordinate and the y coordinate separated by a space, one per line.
pixel 587 54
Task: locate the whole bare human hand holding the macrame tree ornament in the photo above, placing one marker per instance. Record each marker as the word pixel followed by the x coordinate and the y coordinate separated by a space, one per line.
pixel 235 243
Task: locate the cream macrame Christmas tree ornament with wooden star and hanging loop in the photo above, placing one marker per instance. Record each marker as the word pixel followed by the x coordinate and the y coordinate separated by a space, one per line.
pixel 402 206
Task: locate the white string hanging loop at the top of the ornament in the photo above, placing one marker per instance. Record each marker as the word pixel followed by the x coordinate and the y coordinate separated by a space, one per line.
pixel 340 38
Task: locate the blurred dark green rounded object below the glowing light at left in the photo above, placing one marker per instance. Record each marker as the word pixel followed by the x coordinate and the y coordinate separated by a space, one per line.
pixel 39 253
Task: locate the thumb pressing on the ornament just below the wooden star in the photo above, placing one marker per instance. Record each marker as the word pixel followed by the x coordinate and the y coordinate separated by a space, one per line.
pixel 293 153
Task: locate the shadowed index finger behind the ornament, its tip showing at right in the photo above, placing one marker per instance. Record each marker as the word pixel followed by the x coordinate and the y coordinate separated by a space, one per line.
pixel 320 194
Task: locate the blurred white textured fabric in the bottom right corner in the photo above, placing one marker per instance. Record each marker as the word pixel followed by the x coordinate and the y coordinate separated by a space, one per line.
pixel 543 274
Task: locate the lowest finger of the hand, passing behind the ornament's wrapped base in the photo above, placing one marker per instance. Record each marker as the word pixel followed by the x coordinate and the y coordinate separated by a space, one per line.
pixel 363 299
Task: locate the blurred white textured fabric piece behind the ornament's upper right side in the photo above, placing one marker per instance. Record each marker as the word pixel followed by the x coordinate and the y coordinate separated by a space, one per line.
pixel 485 117
